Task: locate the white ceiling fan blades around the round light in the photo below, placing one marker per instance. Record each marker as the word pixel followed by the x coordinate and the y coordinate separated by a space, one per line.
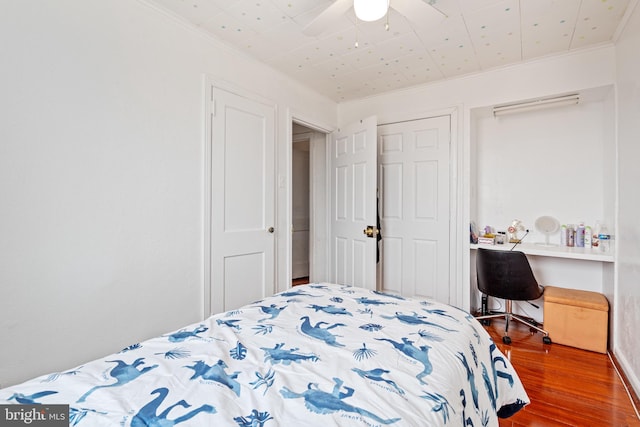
pixel 419 12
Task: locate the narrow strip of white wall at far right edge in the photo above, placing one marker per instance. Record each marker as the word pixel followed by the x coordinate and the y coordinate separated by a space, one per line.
pixel 627 303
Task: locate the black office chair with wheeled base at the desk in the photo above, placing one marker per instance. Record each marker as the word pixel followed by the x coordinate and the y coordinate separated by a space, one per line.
pixel 508 275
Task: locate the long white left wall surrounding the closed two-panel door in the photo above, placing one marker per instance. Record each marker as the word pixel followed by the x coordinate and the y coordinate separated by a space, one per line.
pixel 101 174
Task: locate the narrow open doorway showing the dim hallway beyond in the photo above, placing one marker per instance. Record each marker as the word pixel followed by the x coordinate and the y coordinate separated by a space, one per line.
pixel 309 206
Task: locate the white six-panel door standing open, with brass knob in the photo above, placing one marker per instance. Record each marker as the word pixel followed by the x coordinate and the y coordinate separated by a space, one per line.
pixel 353 205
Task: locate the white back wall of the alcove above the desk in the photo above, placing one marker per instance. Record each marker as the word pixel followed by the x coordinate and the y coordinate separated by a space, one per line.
pixel 548 162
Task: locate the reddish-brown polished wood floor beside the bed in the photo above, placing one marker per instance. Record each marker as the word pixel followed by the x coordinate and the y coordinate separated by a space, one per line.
pixel 567 386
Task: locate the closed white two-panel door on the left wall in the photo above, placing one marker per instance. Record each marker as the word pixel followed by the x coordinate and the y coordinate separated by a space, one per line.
pixel 242 200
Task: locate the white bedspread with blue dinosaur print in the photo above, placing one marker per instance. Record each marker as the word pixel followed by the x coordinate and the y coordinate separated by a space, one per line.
pixel 316 355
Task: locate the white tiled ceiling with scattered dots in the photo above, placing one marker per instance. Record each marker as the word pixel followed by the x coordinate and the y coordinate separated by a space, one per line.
pixel 476 35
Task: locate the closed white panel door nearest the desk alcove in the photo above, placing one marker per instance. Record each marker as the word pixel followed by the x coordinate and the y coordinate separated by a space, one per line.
pixel 414 187
